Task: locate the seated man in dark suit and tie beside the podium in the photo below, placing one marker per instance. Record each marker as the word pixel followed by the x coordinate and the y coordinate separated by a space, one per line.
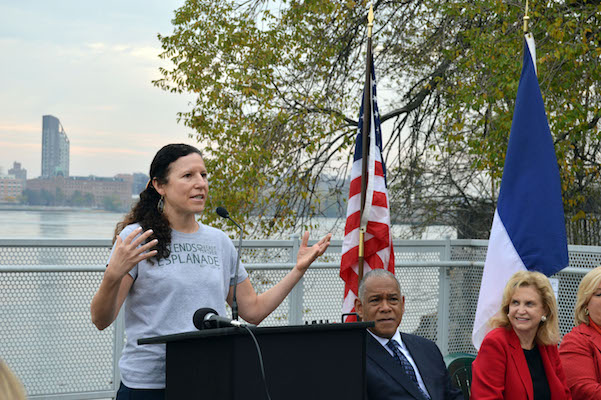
pixel 399 365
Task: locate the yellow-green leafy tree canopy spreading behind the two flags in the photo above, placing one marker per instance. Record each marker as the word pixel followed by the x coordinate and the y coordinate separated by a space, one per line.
pixel 278 90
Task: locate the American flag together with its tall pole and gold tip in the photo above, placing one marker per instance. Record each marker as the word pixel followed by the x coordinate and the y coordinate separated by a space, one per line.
pixel 368 191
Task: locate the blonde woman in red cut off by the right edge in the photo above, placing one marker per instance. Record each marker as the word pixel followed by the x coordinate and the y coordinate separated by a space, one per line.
pixel 580 350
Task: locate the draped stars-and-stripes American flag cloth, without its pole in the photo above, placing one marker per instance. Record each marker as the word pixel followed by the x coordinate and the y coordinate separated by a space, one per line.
pixel 378 252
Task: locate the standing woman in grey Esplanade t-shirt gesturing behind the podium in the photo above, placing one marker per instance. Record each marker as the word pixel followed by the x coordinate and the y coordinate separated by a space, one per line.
pixel 165 265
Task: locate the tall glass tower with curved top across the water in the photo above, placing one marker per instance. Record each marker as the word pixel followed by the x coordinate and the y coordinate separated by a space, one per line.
pixel 55 148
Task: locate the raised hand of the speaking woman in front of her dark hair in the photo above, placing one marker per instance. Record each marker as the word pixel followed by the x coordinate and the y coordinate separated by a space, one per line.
pixel 128 253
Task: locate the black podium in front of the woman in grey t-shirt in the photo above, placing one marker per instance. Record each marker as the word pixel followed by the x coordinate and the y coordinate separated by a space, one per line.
pixel 316 362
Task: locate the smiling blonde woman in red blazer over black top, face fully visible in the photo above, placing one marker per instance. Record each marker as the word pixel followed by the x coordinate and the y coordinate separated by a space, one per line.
pixel 518 359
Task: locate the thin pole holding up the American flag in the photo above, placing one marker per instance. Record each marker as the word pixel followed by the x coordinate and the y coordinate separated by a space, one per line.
pixel 365 141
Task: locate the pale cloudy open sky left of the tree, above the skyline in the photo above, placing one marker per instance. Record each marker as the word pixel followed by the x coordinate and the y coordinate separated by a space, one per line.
pixel 90 64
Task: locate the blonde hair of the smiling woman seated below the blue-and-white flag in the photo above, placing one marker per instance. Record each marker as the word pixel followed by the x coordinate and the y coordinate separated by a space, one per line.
pixel 548 331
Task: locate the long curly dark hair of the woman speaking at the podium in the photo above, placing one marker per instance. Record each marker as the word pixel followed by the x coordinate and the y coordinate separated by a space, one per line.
pixel 145 211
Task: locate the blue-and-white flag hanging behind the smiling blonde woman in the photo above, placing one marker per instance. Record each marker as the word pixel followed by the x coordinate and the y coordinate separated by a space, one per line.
pixel 528 229
